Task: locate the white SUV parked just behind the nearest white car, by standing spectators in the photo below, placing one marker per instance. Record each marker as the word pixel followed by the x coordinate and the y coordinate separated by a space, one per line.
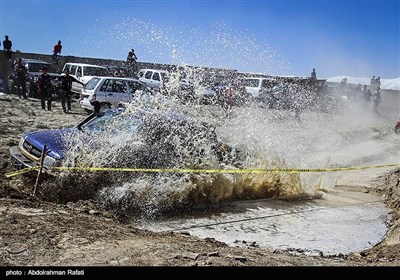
pixel 84 72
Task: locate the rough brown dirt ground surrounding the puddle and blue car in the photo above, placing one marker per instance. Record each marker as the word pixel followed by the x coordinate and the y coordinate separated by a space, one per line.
pixel 34 232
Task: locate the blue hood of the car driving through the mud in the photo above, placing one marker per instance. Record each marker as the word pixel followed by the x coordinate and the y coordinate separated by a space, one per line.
pixel 56 140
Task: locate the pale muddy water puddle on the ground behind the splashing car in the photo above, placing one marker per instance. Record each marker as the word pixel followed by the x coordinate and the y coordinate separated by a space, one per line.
pixel 337 223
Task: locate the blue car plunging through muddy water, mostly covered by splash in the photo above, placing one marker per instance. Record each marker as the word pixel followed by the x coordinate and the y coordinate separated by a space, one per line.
pixel 168 140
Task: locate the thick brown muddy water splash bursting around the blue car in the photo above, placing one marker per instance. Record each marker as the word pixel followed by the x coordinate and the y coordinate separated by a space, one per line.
pixel 148 194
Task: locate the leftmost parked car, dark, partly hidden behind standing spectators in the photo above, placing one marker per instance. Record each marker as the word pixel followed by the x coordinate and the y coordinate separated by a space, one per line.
pixel 33 68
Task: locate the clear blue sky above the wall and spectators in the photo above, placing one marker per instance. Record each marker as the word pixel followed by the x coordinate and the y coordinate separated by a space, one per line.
pixel 355 38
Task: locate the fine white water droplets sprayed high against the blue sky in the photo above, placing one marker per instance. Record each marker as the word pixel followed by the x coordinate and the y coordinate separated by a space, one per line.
pixel 218 47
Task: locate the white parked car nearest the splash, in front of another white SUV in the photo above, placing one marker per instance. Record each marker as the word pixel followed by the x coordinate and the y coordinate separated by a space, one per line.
pixel 110 90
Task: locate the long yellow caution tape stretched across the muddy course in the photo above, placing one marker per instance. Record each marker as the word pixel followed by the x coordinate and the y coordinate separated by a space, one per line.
pixel 180 170
